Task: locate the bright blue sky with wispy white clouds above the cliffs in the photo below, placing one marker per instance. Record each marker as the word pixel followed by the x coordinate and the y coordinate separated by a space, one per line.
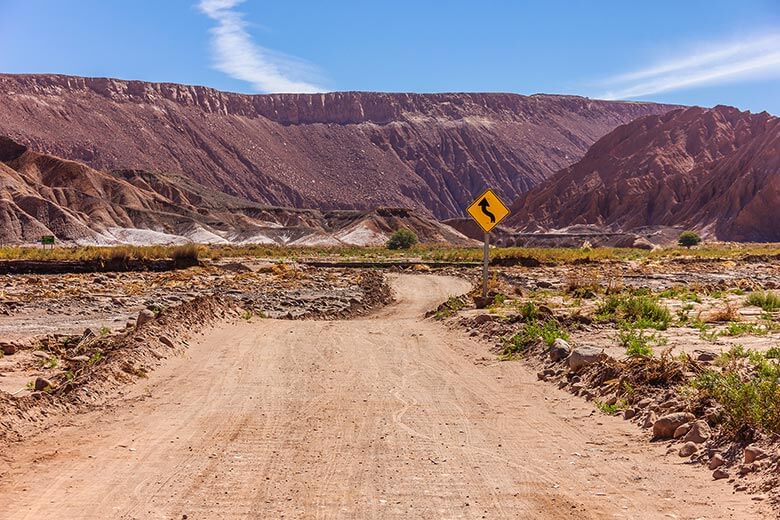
pixel 687 51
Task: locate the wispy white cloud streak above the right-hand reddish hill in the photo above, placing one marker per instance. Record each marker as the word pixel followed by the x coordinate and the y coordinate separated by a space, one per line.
pixel 737 60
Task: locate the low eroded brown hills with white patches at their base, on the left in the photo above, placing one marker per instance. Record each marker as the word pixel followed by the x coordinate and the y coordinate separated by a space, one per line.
pixel 42 194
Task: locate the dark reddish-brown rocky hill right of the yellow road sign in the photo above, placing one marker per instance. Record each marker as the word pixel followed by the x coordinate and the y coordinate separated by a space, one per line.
pixel 716 170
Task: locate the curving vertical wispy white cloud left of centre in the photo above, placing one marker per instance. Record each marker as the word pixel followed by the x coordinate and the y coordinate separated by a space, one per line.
pixel 238 56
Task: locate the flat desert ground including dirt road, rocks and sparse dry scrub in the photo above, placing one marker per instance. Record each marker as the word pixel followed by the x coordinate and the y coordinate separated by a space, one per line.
pixel 254 388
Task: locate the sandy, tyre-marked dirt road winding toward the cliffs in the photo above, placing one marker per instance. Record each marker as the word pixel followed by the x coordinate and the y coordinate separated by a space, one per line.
pixel 386 417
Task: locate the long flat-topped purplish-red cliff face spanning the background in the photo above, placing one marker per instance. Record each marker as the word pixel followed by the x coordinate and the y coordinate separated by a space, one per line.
pixel 344 150
